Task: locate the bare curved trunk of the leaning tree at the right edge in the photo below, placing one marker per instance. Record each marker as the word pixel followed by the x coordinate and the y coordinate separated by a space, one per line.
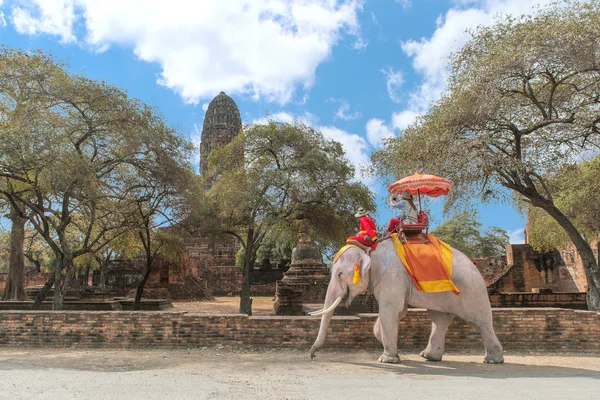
pixel 590 265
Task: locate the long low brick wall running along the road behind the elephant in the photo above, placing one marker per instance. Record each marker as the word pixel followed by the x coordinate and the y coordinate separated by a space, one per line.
pixel 517 329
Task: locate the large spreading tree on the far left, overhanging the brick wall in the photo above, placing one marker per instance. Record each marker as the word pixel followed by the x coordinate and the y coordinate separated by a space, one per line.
pixel 73 144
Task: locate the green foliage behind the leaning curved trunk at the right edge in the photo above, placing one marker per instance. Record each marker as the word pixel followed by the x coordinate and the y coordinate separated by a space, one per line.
pixel 575 191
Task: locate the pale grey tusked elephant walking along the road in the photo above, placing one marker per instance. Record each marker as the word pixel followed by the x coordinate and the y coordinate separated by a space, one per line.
pixel 384 274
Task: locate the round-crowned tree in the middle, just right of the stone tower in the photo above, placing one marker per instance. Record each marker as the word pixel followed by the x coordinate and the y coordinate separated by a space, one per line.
pixel 278 177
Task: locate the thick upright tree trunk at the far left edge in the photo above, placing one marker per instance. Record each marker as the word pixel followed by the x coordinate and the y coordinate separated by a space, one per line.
pixel 15 284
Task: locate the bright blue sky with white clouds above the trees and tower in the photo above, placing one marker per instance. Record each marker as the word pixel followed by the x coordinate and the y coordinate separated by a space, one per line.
pixel 356 70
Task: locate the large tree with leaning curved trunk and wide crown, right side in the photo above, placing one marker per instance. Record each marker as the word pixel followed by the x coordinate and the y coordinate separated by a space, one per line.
pixel 522 102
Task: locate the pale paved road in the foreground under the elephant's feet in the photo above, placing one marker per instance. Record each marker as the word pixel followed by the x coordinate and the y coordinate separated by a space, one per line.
pixel 243 374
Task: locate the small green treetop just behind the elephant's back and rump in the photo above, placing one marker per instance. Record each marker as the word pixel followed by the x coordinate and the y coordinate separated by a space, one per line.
pixel 463 232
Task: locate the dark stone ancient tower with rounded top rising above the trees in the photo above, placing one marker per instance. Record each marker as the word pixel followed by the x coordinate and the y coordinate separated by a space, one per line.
pixel 222 123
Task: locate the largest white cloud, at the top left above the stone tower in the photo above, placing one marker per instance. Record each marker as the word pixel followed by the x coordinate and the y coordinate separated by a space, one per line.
pixel 260 48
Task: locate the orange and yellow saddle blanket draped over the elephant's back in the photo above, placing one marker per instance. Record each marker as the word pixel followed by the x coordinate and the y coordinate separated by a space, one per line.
pixel 429 265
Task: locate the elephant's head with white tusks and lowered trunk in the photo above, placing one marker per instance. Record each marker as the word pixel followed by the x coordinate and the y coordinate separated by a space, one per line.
pixel 349 276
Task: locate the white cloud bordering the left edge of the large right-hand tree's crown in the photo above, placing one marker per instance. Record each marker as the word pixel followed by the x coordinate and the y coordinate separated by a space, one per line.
pixel 430 55
